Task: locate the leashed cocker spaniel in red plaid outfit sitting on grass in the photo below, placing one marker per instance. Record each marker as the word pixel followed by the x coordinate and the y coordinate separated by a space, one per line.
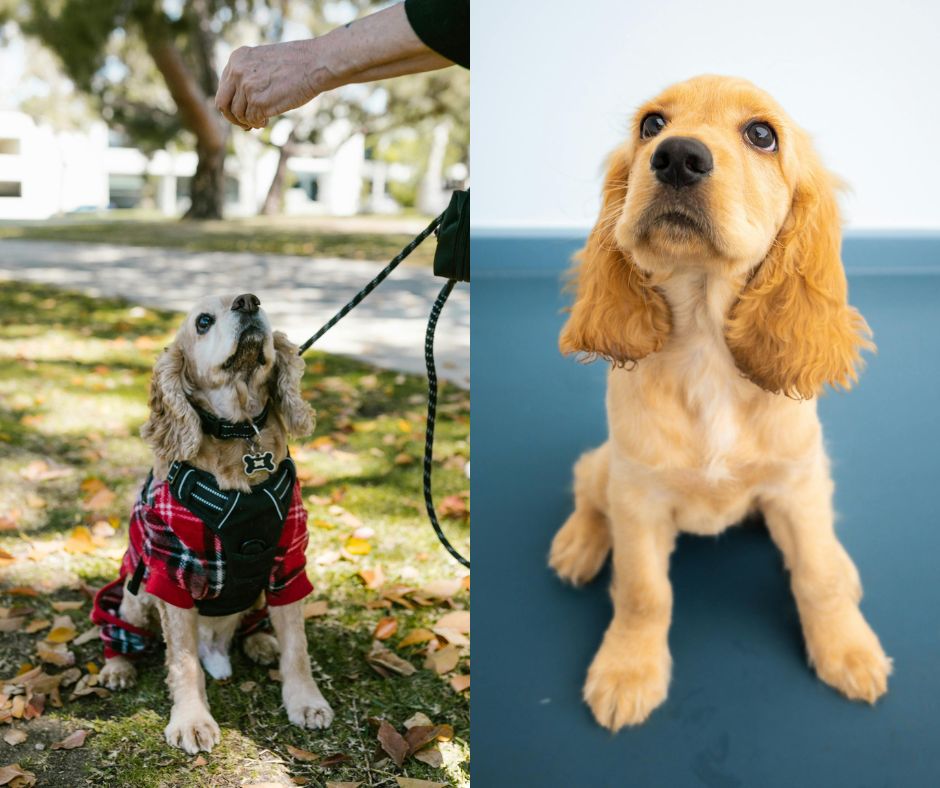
pixel 217 536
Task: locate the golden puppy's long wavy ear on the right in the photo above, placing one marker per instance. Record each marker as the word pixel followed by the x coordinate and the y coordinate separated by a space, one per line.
pixel 792 330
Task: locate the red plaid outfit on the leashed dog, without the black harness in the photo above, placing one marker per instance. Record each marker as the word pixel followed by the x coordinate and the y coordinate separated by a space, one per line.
pixel 184 562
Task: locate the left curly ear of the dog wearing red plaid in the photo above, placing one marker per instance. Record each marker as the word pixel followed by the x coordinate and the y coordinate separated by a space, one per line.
pixel 173 430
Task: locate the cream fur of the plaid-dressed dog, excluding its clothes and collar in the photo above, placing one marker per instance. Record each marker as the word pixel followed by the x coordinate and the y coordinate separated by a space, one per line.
pixel 232 369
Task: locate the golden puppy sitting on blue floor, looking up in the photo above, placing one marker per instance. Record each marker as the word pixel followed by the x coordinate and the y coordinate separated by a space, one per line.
pixel 712 282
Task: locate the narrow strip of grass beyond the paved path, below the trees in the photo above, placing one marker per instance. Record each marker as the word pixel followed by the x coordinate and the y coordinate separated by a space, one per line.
pixel 356 238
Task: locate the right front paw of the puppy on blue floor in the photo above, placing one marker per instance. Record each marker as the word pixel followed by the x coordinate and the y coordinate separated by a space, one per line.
pixel 854 662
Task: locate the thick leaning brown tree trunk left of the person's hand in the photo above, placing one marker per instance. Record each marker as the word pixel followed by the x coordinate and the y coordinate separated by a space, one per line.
pixel 199 115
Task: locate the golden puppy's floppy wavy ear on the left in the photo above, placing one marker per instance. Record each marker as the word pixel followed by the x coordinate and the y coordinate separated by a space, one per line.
pixel 616 313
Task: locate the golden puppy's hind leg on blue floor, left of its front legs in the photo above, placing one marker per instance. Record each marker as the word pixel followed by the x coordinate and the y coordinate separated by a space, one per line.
pixel 580 547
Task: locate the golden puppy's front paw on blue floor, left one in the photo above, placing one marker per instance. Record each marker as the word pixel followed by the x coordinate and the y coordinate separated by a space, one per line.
pixel 621 690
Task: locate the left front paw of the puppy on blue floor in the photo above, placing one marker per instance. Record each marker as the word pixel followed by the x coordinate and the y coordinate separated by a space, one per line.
pixel 628 678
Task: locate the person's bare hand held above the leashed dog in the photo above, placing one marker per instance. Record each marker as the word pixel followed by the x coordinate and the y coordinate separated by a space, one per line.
pixel 262 82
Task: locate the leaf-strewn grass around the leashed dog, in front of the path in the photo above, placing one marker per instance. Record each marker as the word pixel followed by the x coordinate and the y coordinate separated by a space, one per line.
pixel 73 392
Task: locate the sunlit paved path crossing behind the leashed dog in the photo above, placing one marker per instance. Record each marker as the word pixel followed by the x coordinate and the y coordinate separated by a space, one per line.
pixel 298 293
